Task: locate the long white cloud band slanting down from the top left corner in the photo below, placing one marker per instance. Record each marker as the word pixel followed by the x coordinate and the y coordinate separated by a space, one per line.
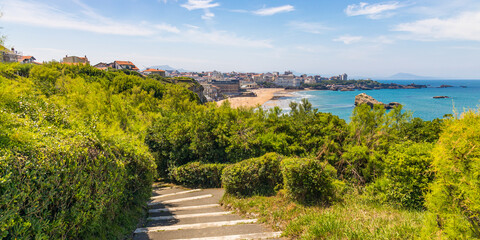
pixel 38 14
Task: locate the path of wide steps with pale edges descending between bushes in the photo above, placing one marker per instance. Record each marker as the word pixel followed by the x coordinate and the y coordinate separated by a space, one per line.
pixel 179 213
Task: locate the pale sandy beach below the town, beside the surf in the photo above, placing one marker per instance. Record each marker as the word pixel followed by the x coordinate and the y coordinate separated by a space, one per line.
pixel 263 96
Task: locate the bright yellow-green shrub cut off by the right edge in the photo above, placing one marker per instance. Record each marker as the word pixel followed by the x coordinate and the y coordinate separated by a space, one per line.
pixel 454 202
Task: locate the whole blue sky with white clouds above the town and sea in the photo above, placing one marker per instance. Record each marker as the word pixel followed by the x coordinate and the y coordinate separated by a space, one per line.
pixel 362 38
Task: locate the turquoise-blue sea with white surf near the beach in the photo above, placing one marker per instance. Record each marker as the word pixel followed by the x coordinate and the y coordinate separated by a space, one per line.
pixel 418 101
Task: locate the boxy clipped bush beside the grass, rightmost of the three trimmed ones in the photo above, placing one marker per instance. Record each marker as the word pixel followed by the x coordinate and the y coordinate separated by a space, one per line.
pixel 308 180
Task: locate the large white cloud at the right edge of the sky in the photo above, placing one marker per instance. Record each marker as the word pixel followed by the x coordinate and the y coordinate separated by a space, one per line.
pixel 465 26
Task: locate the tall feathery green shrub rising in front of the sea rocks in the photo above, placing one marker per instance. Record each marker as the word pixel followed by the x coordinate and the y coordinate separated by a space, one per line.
pixel 371 133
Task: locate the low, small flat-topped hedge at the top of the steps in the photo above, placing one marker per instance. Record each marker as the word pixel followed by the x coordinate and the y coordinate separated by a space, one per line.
pixel 196 174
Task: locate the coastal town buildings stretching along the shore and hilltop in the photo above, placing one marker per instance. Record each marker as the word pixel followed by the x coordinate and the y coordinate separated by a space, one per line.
pixel 218 86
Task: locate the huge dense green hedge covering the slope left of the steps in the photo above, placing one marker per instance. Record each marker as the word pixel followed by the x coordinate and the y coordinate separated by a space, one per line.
pixel 73 162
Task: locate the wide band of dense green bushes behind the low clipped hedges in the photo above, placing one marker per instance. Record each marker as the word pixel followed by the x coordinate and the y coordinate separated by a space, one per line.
pixel 190 132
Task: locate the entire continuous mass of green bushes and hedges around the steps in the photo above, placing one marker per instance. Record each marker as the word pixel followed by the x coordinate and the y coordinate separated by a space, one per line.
pixel 74 161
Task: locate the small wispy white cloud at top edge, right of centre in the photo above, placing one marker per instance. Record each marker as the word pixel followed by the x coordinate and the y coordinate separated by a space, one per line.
pixel 373 11
